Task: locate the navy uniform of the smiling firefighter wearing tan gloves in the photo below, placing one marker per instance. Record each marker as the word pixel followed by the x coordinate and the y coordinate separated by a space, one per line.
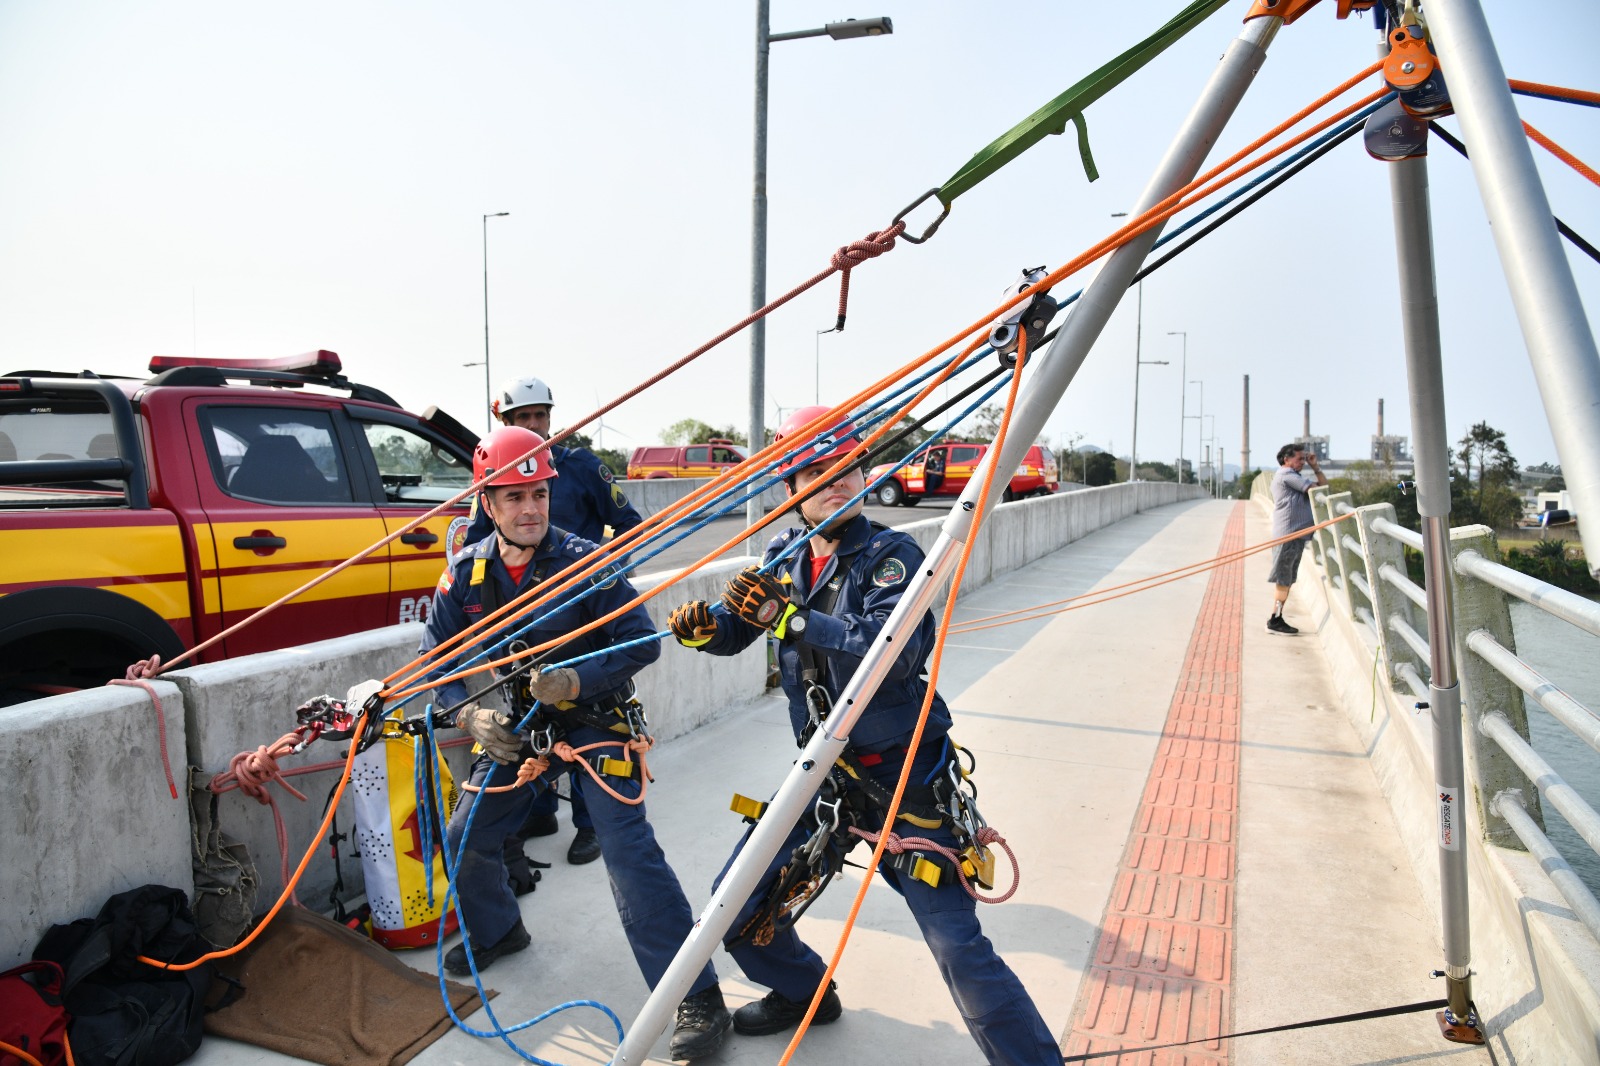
pixel 649 897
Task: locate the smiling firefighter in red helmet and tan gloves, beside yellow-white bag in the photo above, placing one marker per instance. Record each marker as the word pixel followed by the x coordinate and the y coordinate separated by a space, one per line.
pixel 588 703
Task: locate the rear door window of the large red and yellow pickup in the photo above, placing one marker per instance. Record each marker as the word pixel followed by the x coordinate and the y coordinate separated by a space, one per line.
pixel 278 455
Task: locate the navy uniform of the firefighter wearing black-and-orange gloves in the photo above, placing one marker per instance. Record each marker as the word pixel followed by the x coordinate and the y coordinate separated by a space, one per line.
pixel 866 577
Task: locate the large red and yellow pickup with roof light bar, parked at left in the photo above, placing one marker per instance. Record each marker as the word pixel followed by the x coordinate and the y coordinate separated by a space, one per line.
pixel 143 516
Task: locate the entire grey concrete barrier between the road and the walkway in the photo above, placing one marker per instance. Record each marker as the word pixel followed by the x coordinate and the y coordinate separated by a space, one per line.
pixel 92 798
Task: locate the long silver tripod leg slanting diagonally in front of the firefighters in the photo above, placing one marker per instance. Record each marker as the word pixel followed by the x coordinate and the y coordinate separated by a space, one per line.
pixel 1055 372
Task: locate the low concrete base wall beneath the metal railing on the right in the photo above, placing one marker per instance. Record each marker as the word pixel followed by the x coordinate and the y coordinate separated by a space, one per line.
pixel 1537 968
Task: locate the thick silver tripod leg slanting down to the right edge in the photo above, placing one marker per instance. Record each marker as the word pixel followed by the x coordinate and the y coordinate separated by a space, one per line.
pixel 1554 327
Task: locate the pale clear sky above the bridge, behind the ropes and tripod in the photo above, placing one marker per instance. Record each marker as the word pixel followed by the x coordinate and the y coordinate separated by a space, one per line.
pixel 265 180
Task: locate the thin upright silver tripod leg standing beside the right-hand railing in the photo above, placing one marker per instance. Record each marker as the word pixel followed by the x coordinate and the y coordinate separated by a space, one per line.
pixel 1426 385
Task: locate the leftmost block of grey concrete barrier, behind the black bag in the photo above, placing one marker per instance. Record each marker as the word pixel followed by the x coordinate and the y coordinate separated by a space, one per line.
pixel 87 811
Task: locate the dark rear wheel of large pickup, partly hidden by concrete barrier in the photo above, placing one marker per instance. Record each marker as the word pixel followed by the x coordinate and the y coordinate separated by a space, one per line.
pixel 74 638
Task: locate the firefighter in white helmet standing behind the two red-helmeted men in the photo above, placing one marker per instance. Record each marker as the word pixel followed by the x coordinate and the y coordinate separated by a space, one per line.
pixel 585 502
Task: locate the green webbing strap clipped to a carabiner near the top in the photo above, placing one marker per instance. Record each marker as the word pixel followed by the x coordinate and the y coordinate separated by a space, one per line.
pixel 1055 116
